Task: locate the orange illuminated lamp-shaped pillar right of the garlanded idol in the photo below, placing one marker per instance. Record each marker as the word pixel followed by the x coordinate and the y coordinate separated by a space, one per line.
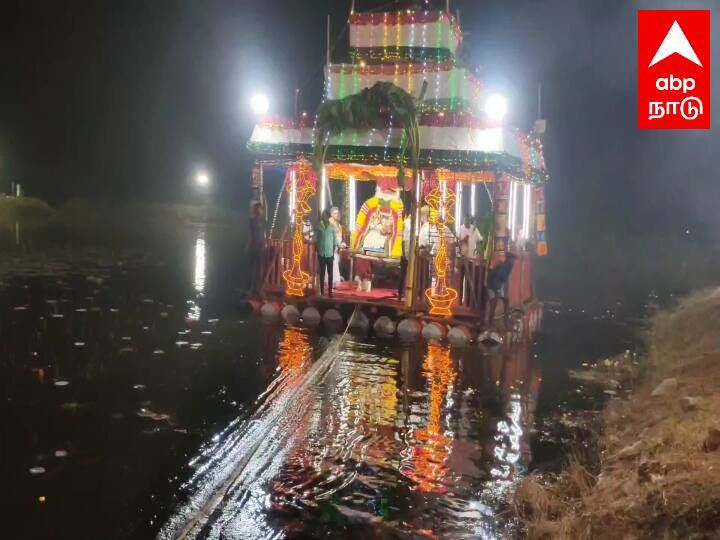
pixel 442 203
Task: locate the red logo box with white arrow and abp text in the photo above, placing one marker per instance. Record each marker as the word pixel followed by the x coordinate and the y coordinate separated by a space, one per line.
pixel 674 69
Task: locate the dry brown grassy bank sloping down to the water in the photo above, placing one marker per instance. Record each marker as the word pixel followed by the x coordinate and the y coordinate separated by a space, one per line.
pixel 655 470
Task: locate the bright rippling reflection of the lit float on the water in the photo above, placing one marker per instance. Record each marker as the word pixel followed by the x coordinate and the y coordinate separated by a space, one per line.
pixel 390 442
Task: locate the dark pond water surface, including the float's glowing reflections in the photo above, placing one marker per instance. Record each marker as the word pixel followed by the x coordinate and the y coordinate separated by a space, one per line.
pixel 134 395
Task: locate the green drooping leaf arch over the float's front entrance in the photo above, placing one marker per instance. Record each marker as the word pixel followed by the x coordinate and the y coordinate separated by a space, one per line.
pixel 370 109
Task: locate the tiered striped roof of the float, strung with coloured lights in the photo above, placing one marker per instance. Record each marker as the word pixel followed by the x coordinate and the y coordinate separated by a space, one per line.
pixel 410 49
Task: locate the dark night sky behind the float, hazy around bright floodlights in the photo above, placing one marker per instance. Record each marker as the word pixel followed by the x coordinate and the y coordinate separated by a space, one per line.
pixel 124 99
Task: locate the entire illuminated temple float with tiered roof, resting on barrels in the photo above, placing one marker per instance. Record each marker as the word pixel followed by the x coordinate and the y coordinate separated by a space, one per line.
pixel 402 146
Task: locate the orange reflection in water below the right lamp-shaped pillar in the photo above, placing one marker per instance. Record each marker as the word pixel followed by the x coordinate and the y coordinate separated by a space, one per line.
pixel 426 464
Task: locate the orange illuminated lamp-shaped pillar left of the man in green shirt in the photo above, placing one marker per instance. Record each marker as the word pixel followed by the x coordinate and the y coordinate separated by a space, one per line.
pixel 300 183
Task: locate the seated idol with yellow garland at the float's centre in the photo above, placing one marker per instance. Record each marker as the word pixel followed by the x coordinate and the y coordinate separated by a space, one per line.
pixel 380 225
